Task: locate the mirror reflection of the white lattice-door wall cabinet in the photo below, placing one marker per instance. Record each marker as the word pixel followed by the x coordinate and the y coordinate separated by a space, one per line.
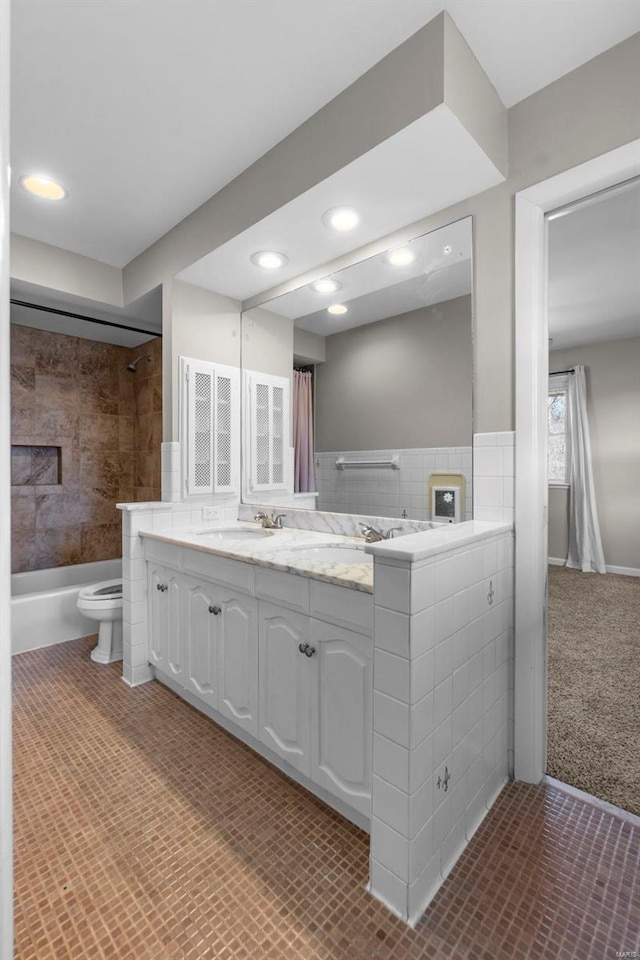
pixel 267 399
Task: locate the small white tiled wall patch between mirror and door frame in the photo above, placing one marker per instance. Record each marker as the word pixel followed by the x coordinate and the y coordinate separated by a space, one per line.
pixel 493 476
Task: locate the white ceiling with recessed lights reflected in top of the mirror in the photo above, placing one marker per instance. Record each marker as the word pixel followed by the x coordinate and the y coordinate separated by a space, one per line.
pixel 373 290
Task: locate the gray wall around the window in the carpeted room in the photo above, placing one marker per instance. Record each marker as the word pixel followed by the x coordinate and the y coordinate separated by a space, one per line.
pixel 613 394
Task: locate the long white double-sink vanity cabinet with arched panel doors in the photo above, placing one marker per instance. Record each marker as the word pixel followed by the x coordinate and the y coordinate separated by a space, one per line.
pixel 283 661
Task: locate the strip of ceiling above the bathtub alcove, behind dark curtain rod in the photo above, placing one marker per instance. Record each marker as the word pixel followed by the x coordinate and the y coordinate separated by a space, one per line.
pixel 144 313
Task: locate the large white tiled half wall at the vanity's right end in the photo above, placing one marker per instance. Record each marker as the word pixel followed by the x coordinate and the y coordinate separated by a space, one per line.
pixel 443 689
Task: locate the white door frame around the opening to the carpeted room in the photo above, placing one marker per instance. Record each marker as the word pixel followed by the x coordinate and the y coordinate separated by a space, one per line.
pixel 531 387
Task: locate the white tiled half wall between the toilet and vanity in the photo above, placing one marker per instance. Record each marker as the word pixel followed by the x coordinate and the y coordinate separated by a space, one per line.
pixel 148 516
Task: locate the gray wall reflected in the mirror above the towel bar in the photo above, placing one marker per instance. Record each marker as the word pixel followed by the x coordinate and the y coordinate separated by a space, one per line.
pixel 400 383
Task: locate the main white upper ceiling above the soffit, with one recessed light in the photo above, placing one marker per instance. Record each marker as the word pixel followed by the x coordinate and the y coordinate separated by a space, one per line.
pixel 144 110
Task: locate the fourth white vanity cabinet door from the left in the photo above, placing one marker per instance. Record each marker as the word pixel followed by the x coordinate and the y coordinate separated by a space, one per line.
pixel 239 661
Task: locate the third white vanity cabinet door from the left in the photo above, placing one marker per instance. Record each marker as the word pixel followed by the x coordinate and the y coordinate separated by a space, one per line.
pixel 203 643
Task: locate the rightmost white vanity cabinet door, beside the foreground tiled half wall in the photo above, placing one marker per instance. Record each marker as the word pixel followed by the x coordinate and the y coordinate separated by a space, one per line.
pixel 342 719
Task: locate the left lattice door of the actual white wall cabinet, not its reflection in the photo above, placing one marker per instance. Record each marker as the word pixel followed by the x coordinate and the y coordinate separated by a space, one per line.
pixel 200 384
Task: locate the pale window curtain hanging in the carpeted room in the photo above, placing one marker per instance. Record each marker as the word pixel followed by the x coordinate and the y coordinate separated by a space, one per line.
pixel 585 545
